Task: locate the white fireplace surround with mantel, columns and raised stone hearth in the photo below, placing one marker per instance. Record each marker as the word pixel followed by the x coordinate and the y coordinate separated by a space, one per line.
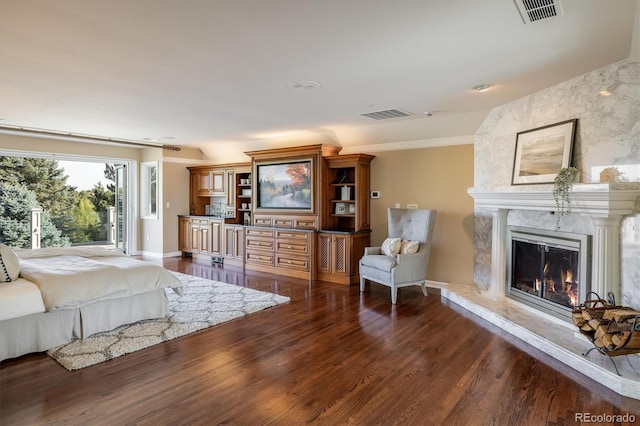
pixel 605 205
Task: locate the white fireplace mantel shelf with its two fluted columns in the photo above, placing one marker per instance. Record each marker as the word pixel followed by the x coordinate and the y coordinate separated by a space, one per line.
pixel 604 203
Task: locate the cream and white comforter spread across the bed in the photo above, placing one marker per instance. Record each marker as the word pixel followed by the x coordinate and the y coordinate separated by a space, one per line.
pixel 73 277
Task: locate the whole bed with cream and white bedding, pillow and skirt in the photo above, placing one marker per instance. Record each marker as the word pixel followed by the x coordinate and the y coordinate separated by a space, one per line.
pixel 54 295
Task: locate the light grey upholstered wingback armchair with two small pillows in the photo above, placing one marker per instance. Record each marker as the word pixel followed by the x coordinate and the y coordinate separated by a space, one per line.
pixel 402 259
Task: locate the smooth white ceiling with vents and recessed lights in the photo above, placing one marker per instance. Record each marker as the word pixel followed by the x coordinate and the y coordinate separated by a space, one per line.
pixel 214 74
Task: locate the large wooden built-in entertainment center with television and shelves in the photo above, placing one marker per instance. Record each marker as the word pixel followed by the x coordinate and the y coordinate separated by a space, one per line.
pixel 299 211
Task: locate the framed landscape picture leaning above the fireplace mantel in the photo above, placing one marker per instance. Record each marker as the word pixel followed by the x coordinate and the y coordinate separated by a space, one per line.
pixel 542 152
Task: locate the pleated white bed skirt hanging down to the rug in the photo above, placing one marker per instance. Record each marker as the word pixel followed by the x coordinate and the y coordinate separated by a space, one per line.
pixel 40 332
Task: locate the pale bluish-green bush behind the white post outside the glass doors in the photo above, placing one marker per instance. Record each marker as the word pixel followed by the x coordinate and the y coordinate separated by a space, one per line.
pixel 16 203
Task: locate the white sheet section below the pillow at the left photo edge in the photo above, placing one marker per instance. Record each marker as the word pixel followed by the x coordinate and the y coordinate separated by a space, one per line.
pixel 19 298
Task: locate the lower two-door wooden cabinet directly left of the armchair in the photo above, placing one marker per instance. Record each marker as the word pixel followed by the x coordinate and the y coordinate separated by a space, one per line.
pixel 338 256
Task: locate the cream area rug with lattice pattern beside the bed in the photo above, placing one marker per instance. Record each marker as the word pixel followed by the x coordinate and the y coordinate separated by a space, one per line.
pixel 204 303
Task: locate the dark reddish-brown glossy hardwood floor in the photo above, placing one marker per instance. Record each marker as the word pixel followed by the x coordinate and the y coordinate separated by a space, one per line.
pixel 330 356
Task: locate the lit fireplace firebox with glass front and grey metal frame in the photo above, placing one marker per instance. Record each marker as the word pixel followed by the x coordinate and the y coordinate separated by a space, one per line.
pixel 548 270
